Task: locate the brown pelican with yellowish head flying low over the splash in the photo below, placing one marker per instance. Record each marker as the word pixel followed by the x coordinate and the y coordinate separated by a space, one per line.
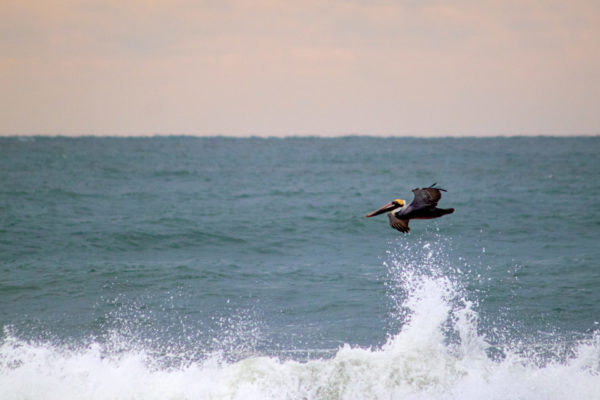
pixel 423 206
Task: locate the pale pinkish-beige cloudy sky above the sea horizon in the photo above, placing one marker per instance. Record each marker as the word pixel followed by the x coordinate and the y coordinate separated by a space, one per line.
pixel 306 67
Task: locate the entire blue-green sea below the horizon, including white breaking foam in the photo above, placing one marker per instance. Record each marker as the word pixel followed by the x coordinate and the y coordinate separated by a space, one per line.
pixel 219 268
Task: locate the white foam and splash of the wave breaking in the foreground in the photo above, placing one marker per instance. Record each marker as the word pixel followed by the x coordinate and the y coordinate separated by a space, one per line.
pixel 437 354
